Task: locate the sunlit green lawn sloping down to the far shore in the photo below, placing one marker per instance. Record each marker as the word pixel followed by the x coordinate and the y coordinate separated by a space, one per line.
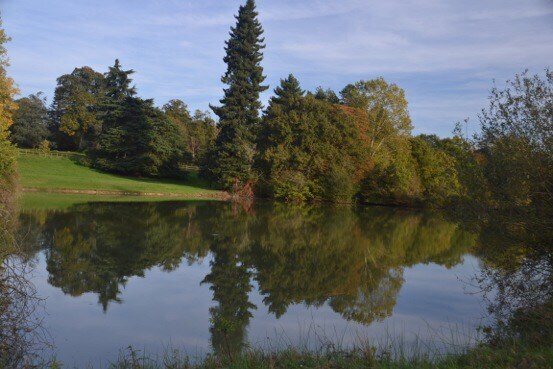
pixel 65 173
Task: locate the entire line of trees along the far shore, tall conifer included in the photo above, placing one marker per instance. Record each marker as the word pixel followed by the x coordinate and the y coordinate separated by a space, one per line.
pixel 355 145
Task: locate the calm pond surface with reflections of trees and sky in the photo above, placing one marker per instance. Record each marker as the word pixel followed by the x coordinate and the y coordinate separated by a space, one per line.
pixel 154 275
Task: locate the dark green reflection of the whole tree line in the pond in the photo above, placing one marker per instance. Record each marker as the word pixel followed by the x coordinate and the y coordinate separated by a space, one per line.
pixel 352 259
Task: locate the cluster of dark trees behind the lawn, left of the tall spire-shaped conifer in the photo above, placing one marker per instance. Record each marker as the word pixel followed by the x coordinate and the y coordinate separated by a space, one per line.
pixel 99 114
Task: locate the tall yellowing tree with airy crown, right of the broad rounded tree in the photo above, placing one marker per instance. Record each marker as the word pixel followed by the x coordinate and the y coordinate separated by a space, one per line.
pixel 386 166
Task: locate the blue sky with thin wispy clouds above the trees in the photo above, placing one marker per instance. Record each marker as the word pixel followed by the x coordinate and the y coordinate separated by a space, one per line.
pixel 445 54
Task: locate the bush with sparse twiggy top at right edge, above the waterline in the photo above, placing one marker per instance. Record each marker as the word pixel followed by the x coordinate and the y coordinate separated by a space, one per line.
pixel 517 141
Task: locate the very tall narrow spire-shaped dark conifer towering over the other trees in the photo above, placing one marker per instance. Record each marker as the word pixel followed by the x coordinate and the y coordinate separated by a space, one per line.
pixel 230 161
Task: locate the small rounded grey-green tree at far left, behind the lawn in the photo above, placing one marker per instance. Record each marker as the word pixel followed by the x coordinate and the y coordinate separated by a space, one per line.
pixel 30 122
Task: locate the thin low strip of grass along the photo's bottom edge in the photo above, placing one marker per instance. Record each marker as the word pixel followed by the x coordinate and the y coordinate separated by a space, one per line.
pixel 512 357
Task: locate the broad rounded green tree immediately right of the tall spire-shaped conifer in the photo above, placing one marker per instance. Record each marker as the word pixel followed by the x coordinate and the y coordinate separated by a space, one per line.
pixel 303 140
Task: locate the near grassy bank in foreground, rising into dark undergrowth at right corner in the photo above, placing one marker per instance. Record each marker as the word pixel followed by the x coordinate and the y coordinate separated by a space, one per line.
pixel 526 343
